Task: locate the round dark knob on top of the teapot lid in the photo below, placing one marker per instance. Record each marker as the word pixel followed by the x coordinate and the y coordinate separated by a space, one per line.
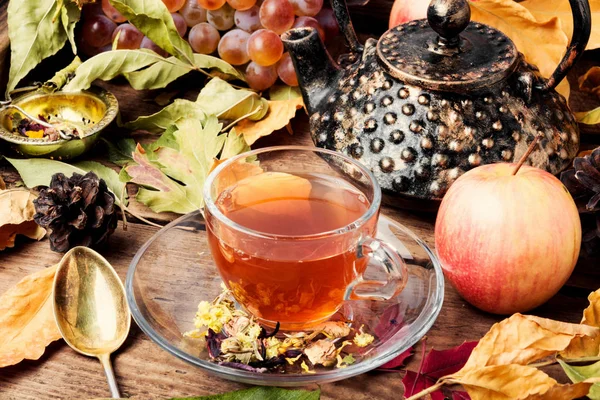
pixel 449 18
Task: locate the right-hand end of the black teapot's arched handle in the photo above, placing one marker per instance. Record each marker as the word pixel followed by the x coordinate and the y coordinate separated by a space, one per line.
pixel 582 25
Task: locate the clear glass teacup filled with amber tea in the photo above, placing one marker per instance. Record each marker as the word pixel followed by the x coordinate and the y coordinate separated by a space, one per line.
pixel 291 230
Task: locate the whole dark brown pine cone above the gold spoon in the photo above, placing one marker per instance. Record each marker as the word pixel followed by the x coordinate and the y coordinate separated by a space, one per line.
pixel 79 211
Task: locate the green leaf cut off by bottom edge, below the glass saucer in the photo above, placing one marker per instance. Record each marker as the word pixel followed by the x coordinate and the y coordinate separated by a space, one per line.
pixel 261 393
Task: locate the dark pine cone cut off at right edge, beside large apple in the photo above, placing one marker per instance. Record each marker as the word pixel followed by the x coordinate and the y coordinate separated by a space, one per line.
pixel 583 182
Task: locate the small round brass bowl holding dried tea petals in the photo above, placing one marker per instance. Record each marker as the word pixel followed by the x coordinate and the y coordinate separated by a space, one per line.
pixel 92 110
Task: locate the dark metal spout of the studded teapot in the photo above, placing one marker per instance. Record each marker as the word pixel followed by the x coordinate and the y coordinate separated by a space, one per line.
pixel 317 72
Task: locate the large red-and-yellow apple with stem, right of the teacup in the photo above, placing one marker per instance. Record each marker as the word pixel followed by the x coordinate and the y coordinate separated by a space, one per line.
pixel 506 242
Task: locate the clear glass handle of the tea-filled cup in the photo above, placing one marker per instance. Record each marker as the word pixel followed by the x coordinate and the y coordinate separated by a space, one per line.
pixel 390 261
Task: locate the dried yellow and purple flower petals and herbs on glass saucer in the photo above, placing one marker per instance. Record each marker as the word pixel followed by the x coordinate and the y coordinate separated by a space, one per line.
pixel 235 339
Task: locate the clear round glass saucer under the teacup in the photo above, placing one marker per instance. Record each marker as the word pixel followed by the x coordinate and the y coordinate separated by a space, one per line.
pixel 174 271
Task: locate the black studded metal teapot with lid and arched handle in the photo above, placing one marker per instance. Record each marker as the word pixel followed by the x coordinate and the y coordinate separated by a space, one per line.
pixel 434 98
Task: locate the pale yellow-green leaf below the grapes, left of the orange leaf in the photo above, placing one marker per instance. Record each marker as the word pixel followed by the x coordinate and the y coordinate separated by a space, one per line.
pixel 221 99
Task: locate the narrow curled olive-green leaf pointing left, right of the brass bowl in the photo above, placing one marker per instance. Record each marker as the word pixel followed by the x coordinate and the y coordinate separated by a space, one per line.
pixel 168 116
